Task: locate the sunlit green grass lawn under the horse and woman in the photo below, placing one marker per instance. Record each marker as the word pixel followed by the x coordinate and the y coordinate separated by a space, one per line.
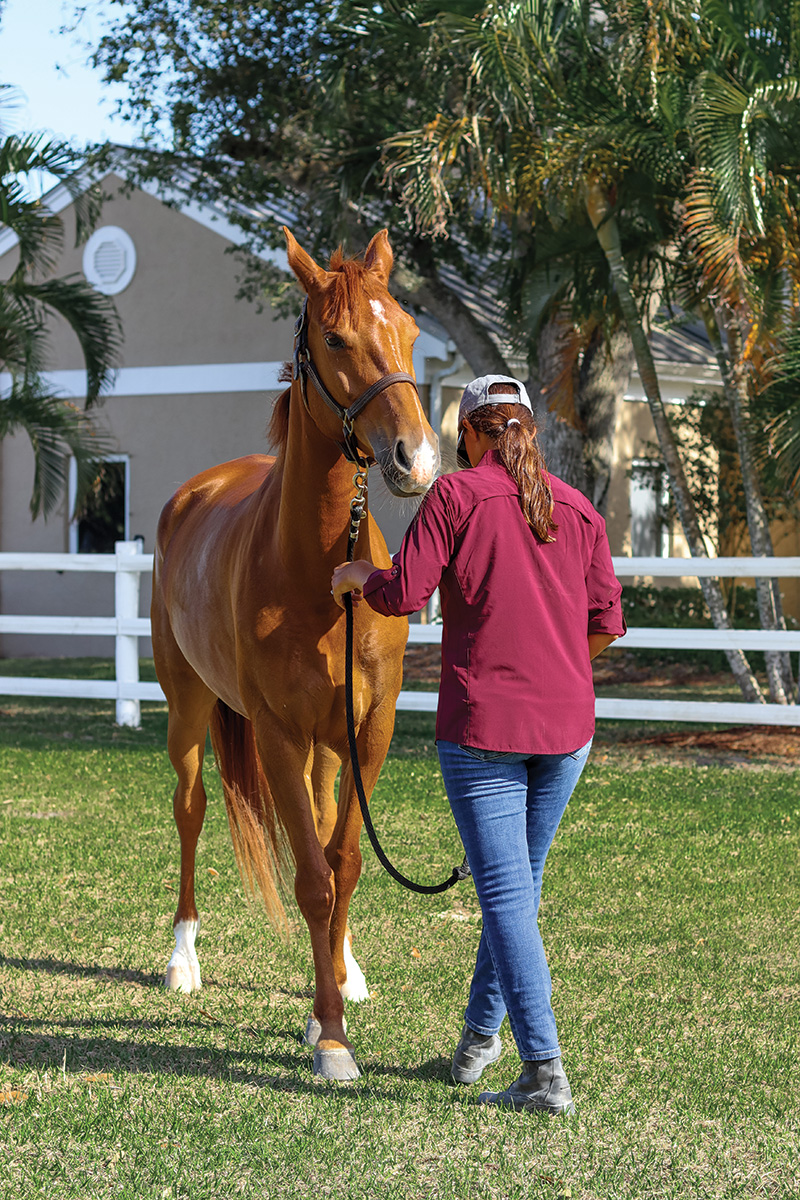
pixel 672 920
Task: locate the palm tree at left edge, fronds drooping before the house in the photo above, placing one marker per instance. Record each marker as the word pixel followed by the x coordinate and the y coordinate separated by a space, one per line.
pixel 28 298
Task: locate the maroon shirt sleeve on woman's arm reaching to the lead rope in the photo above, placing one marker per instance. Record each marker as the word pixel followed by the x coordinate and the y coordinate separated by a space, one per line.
pixel 418 567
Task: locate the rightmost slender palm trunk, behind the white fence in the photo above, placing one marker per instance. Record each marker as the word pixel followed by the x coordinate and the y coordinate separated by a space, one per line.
pixel 768 595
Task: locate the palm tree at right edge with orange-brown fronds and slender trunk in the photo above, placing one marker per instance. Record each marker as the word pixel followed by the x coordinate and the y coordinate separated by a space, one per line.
pixel 742 231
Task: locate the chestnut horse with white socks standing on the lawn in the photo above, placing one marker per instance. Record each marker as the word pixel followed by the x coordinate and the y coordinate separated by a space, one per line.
pixel 249 641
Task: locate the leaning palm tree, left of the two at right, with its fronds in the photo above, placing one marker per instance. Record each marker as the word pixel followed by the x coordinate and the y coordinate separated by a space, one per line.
pixel 574 118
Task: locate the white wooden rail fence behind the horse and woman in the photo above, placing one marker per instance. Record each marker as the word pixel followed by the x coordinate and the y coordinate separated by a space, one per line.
pixel 127 628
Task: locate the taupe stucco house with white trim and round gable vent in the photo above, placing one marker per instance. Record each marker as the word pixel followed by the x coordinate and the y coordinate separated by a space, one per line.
pixel 199 380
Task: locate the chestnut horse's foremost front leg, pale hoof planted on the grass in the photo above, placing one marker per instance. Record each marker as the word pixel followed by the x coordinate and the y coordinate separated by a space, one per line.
pixel 288 770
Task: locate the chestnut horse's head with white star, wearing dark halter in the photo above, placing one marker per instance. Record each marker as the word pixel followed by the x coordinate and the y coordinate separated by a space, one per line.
pixel 356 355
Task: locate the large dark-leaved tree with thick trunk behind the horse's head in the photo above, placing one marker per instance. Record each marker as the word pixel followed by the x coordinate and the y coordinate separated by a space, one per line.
pixel 291 105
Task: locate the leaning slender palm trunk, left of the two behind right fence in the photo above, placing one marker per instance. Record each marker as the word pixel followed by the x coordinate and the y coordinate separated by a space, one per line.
pixel 607 231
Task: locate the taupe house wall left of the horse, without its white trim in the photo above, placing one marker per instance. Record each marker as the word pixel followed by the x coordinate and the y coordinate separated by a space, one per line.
pixel 179 309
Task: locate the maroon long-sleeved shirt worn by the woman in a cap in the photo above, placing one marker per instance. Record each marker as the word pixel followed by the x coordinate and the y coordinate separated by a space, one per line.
pixel 516 673
